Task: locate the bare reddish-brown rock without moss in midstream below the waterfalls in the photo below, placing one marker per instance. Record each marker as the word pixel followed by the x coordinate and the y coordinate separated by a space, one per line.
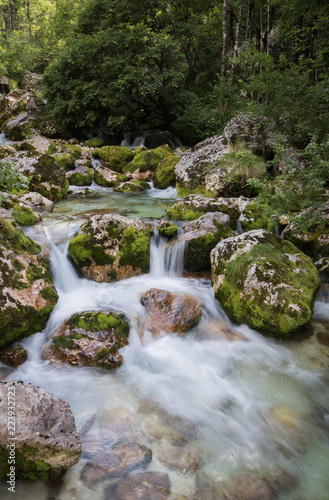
pixel 172 312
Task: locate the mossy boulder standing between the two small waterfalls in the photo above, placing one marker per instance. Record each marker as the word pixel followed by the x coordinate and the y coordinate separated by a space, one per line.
pixel 111 247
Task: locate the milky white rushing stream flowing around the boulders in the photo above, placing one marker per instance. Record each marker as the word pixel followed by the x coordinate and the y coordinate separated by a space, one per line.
pixel 221 407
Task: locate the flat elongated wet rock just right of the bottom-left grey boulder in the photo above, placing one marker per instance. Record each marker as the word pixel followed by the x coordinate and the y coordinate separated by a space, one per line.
pixel 116 462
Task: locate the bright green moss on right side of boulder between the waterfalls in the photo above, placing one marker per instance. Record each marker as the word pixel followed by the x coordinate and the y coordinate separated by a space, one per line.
pixel 135 249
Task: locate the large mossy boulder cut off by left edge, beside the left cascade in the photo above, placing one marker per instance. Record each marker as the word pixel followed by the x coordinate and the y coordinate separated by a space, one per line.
pixel 27 293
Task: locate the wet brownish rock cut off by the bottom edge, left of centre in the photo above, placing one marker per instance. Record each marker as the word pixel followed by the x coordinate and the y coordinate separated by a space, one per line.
pixel 142 485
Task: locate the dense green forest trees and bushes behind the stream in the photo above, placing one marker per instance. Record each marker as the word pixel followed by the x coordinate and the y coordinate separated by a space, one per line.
pixel 184 66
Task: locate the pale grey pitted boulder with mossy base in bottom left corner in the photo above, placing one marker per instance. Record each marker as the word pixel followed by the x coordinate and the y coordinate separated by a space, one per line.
pixel 46 442
